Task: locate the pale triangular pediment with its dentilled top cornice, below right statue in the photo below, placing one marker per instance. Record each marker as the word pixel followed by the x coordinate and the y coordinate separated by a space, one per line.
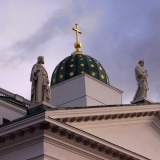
pixel 136 128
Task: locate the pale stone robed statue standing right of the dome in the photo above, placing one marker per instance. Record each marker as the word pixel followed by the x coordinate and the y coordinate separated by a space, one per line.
pixel 141 77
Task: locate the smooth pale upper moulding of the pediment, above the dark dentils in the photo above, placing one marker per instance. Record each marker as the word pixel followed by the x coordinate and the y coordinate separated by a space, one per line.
pixel 103 110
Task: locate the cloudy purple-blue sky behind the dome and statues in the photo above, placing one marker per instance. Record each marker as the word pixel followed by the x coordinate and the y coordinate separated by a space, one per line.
pixel 118 33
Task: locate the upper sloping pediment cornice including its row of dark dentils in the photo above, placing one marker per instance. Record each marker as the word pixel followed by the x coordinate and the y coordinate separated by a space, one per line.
pixel 104 113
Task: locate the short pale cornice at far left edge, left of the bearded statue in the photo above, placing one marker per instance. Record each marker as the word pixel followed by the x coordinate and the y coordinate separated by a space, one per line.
pixel 13 107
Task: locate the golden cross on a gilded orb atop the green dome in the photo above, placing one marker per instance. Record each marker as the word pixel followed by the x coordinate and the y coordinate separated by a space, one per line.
pixel 77 44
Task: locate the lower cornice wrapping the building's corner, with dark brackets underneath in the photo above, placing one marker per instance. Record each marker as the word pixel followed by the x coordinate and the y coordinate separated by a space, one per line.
pixel 71 134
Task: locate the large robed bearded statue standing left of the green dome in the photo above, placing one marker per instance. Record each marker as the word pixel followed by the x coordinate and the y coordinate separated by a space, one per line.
pixel 40 90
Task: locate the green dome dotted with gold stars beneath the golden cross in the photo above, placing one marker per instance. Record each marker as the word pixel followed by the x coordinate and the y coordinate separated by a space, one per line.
pixel 77 64
